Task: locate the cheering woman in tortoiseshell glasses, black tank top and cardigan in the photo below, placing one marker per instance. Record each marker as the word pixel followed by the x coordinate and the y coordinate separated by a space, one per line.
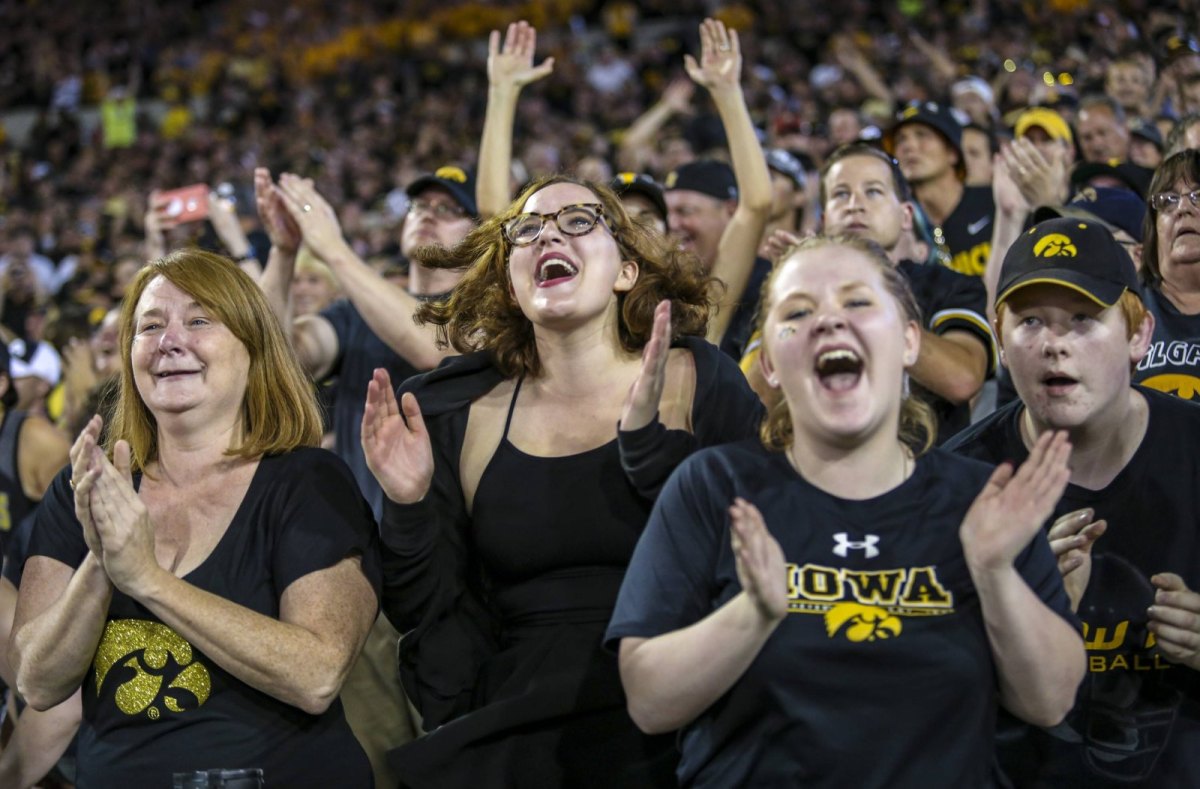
pixel 512 519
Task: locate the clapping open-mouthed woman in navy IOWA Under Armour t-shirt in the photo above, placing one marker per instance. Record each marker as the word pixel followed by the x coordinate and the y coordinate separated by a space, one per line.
pixel 836 604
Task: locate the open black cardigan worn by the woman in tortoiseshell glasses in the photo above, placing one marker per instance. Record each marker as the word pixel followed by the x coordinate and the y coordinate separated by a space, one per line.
pixel 434 592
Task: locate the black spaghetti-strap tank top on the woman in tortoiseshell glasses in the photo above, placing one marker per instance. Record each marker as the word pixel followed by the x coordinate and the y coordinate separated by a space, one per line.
pixel 556 534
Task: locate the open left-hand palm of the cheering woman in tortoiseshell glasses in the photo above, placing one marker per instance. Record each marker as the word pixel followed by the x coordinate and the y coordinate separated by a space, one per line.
pixel 398 448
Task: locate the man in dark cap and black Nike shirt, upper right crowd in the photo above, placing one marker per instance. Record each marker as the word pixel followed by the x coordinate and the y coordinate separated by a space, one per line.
pixel 927 141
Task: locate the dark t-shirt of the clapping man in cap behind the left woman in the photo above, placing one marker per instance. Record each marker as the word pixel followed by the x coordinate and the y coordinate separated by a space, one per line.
pixel 361 352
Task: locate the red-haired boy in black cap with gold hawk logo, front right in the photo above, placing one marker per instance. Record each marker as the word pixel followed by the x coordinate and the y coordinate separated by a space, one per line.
pixel 1072 327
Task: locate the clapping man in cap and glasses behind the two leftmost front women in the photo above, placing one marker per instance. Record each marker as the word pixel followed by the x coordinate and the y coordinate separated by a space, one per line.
pixel 341 346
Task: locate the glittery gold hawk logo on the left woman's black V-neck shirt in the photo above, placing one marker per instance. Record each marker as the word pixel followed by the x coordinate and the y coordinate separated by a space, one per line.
pixel 143 657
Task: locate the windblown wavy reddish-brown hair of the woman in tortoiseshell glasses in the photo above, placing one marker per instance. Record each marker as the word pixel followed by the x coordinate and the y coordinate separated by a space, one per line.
pixel 482 314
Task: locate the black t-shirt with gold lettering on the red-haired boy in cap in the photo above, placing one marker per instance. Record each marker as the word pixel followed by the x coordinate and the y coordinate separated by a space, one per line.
pixel 1137 720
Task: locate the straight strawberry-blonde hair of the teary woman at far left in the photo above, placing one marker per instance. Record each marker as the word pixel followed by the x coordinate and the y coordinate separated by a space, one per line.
pixel 279 411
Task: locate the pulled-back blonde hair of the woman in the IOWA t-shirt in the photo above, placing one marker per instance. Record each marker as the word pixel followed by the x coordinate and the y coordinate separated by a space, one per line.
pixel 919 427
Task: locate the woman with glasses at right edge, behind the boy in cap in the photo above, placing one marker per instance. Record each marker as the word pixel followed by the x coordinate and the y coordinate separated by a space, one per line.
pixel 1172 275
